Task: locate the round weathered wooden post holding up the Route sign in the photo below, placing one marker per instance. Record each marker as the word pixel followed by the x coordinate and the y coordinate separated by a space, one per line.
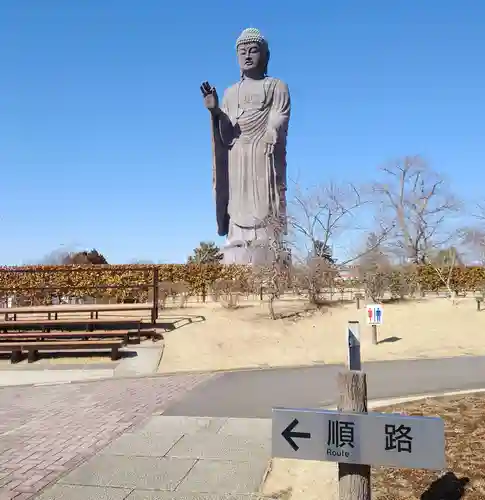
pixel 354 479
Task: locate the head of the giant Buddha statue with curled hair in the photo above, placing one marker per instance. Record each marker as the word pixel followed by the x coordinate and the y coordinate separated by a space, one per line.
pixel 252 52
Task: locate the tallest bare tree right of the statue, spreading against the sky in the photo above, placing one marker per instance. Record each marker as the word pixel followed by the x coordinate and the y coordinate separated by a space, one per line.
pixel 419 201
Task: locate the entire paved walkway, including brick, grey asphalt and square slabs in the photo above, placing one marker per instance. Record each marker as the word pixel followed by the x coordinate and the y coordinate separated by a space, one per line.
pixel 66 432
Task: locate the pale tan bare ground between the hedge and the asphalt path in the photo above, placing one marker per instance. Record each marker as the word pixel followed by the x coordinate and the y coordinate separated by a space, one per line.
pixel 211 337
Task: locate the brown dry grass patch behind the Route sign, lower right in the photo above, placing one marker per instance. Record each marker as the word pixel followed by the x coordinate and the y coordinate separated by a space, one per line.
pixel 465 453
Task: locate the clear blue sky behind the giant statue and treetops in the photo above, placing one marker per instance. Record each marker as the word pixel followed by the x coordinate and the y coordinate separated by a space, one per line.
pixel 104 141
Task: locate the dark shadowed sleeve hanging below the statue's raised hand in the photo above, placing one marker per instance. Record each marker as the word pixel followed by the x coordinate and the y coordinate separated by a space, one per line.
pixel 222 135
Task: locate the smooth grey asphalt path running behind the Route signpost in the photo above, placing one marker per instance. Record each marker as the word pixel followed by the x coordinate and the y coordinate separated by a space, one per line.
pixel 253 393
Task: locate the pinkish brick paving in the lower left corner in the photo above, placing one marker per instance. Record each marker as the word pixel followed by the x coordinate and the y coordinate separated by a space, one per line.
pixel 46 431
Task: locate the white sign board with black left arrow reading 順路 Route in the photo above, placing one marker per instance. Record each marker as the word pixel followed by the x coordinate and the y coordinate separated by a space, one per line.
pixel 370 439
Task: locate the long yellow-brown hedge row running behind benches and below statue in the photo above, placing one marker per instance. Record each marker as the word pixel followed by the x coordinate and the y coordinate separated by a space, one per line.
pixel 115 280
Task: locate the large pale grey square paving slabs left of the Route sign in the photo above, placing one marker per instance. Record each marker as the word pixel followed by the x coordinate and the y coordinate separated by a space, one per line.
pixel 174 458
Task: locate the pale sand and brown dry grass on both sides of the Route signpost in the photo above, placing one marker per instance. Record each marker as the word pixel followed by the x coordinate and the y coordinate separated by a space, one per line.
pixel 465 454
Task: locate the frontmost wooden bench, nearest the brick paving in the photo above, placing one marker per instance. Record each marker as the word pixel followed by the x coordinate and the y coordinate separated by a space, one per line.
pixel 33 348
